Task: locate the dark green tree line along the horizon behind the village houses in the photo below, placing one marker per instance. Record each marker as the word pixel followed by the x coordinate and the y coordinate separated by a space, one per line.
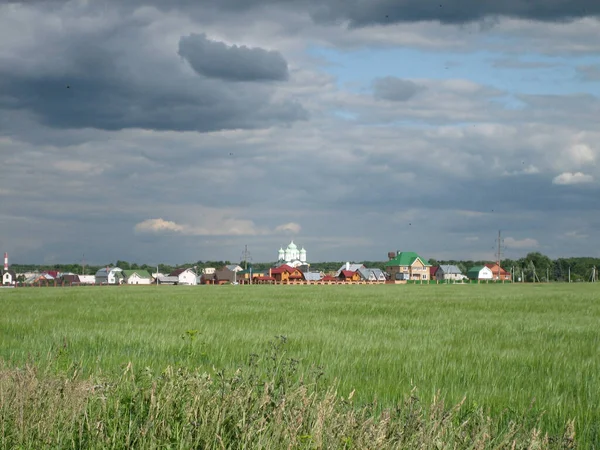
pixel 533 267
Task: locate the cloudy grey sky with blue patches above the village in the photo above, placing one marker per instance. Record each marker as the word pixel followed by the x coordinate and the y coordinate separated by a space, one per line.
pixel 150 132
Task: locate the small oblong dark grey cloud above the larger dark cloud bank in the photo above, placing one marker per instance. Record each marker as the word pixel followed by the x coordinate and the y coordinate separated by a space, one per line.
pixel 233 63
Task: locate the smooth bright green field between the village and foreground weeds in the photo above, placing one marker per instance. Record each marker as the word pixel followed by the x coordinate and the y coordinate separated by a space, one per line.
pixel 506 348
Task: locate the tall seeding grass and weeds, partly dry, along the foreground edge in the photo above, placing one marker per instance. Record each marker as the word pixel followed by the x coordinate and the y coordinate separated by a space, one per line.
pixel 260 405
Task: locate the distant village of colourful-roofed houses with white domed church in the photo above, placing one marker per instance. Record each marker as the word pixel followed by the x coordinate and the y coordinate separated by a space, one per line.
pixel 292 267
